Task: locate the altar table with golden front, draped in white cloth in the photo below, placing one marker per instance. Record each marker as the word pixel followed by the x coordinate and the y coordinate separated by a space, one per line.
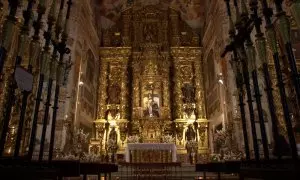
pixel 150 152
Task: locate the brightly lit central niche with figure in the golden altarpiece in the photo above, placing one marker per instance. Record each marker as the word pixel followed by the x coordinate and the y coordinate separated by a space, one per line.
pixel 151 105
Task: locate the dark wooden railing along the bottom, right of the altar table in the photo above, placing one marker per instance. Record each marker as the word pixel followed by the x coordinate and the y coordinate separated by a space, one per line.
pixel 263 169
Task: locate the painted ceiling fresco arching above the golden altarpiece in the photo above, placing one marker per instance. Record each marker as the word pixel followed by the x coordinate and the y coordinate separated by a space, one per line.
pixel 191 10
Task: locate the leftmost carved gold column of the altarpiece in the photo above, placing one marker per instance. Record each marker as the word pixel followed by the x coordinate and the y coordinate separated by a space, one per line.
pixel 102 87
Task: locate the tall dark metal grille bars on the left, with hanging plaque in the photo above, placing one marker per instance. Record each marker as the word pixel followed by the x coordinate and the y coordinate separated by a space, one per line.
pixel 59 69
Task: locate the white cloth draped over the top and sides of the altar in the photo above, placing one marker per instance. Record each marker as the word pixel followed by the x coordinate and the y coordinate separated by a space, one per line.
pixel 150 146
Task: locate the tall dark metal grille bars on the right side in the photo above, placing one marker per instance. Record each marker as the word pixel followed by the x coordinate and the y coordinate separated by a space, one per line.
pixel 244 28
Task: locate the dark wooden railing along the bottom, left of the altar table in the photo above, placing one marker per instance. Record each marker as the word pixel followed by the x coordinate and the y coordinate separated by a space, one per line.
pixel 13 168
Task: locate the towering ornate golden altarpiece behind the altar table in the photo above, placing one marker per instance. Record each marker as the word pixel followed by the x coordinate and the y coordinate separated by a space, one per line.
pixel 150 81
